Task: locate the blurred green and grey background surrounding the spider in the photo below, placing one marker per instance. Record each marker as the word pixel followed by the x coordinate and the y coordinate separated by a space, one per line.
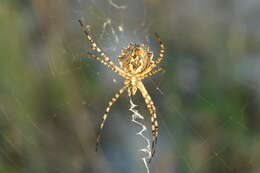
pixel 52 95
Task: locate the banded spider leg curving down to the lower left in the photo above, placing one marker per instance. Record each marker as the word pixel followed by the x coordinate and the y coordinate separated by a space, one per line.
pixel 103 120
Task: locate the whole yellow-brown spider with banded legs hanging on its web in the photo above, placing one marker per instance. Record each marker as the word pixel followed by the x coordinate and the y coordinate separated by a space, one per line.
pixel 136 63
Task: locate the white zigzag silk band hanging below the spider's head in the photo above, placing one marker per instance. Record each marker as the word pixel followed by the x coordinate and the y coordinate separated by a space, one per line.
pixel 135 116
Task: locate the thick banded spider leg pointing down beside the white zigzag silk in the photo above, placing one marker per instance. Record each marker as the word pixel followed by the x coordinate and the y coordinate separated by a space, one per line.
pixel 152 110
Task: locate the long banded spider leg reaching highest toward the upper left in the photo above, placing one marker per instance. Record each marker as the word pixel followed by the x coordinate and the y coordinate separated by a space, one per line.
pixel 94 45
